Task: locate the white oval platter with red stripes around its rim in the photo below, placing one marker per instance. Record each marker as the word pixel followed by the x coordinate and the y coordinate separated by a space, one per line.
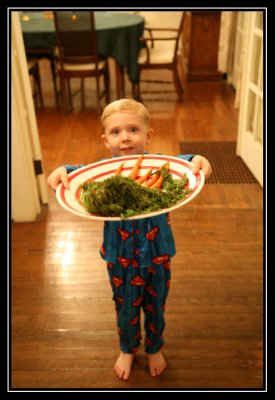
pixel 68 198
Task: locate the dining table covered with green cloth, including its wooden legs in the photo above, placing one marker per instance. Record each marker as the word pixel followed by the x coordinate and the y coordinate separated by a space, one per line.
pixel 118 37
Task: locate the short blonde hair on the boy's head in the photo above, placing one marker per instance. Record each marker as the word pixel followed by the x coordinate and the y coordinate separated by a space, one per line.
pixel 128 106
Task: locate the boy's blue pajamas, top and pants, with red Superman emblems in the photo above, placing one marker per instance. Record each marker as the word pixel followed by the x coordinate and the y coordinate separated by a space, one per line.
pixel 138 254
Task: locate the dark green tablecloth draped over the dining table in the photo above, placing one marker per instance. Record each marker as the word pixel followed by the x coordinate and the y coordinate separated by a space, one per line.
pixel 117 36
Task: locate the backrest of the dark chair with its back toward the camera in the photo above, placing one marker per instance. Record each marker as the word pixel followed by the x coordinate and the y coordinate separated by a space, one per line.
pixel 76 37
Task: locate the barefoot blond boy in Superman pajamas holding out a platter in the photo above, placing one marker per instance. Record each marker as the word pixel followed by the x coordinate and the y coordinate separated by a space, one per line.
pixel 137 252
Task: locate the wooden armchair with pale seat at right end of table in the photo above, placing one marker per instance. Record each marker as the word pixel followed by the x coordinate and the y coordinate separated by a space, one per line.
pixel 161 51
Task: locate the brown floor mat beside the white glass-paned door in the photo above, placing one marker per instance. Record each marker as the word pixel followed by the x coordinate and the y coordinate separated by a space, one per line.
pixel 227 166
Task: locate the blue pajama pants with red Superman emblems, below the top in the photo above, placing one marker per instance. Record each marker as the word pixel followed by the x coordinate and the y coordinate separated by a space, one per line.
pixel 135 288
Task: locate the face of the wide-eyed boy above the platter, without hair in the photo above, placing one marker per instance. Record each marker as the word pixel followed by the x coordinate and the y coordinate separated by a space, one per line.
pixel 125 134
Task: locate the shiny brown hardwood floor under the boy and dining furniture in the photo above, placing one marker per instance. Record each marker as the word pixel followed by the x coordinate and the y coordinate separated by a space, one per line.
pixel 63 320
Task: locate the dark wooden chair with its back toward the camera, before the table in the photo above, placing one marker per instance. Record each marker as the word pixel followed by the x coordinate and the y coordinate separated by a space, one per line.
pixel 77 55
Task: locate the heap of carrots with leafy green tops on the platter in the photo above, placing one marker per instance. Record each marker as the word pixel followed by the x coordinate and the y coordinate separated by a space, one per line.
pixel 127 196
